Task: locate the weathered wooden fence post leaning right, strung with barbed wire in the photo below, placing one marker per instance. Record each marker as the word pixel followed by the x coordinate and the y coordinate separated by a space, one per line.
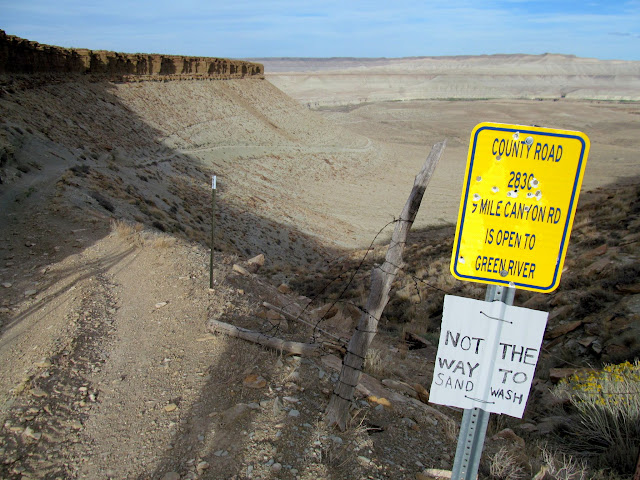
pixel 381 279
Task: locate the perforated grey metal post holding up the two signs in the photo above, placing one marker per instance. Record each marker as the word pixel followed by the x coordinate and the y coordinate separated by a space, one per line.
pixel 475 420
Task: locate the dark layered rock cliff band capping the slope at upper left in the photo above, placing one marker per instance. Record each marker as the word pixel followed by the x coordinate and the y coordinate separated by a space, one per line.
pixel 20 56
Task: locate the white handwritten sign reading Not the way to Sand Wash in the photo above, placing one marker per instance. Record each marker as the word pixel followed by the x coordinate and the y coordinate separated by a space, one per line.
pixel 487 355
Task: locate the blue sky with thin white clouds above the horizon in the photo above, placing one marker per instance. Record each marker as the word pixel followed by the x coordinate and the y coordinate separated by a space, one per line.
pixel 333 28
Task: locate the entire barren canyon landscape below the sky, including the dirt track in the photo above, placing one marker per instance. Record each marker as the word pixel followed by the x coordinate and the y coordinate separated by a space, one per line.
pixel 109 367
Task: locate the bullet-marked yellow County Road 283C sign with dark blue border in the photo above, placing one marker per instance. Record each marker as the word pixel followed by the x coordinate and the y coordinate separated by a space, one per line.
pixel 519 198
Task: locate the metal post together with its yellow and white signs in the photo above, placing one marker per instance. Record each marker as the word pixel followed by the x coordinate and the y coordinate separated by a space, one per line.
pixel 519 197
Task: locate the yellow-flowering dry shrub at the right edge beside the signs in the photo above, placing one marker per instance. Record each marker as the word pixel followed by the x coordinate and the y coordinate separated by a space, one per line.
pixel 608 409
